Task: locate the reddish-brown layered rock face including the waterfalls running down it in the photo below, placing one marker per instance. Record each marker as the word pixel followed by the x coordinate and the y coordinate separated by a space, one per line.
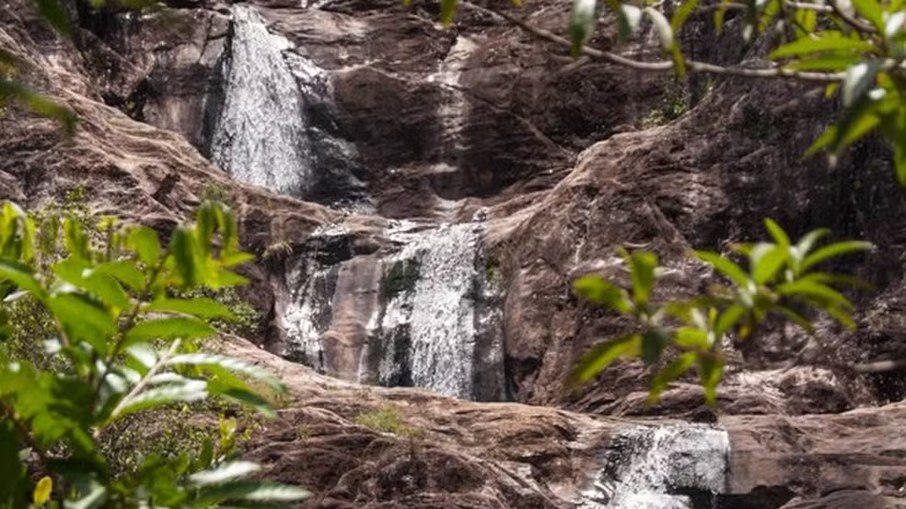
pixel 420 200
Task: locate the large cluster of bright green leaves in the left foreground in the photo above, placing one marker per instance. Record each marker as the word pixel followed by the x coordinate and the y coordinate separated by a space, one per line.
pixel 118 346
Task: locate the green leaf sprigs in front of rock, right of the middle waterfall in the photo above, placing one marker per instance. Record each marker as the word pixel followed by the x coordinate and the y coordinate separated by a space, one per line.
pixel 781 279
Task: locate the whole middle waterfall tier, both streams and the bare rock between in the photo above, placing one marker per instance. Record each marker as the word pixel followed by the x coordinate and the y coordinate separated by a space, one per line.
pixel 424 312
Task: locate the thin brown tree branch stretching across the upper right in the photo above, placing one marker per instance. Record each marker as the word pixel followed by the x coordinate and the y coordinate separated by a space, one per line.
pixel 660 65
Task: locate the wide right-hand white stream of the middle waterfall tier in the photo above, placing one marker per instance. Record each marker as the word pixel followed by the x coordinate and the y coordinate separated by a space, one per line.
pixel 432 301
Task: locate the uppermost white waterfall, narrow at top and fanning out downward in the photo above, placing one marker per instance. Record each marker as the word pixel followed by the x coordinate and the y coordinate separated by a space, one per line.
pixel 258 135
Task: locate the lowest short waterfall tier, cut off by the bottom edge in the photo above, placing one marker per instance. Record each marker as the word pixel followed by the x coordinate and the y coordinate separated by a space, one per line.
pixel 664 467
